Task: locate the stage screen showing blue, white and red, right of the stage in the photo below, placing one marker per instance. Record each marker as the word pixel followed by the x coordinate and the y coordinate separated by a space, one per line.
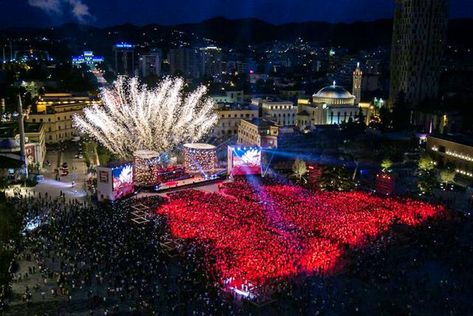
pixel 246 161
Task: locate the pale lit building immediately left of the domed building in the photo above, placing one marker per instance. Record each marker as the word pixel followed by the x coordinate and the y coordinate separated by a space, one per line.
pixel 281 112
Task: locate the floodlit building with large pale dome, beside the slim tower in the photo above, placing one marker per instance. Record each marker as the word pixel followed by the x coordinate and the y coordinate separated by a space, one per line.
pixel 331 105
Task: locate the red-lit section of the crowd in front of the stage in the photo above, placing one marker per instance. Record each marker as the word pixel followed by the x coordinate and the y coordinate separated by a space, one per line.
pixel 256 233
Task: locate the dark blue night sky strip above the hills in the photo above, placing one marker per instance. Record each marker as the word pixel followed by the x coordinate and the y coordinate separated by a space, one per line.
pixel 112 12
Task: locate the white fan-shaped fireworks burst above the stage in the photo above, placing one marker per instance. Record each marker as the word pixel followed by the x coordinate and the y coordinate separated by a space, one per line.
pixel 134 117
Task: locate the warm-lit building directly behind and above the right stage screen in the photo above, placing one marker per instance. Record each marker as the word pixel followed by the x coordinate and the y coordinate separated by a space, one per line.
pixel 258 132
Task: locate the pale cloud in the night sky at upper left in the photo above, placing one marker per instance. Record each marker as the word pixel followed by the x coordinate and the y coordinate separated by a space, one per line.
pixel 78 9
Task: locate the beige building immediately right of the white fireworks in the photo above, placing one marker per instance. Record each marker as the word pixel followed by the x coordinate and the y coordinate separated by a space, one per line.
pixel 229 117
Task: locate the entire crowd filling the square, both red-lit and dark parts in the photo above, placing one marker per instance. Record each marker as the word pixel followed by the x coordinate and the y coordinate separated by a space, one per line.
pixel 311 253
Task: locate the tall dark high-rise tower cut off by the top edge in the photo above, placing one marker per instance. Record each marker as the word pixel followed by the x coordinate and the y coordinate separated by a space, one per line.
pixel 419 37
